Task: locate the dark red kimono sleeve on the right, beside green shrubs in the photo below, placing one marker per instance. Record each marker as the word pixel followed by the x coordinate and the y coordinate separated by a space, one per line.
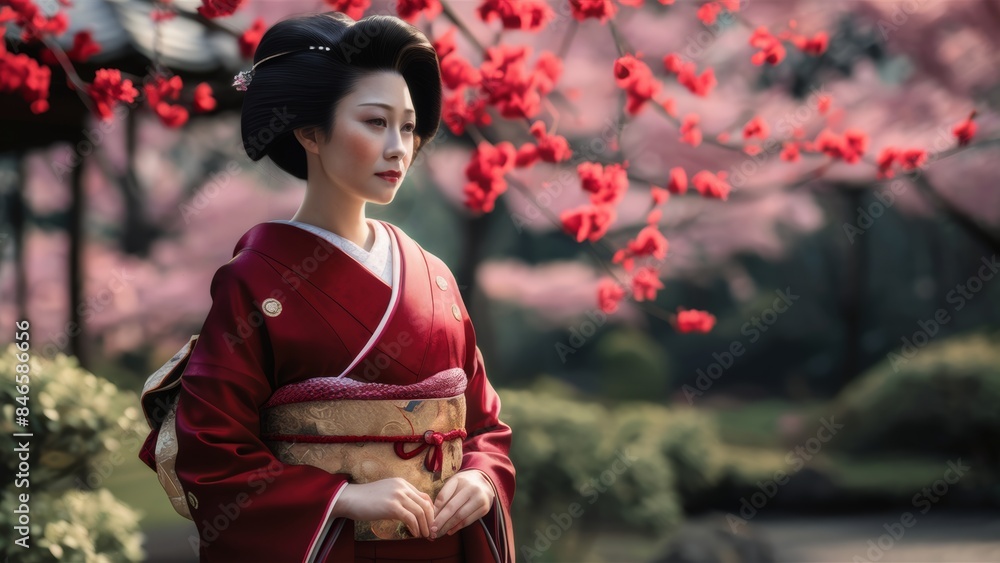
pixel 486 448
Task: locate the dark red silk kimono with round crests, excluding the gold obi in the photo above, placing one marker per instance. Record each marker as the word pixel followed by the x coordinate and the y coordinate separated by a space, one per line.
pixel 249 506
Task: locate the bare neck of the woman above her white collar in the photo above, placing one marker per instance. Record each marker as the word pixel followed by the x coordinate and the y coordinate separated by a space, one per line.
pixel 338 215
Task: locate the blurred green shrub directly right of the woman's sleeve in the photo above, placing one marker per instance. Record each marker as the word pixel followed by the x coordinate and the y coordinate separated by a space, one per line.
pixel 627 466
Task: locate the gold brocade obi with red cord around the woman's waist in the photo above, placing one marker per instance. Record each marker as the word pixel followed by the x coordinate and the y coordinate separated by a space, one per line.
pixel 372 431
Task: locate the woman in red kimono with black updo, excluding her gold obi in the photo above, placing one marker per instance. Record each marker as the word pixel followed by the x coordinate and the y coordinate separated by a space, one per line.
pixel 345 106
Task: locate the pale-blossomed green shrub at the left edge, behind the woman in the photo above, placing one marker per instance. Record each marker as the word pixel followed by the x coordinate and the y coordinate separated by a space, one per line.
pixel 78 423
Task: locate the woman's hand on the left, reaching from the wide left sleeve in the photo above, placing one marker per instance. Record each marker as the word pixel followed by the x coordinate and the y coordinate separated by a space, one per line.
pixel 387 499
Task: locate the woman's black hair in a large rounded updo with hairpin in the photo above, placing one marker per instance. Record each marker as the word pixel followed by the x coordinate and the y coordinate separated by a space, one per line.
pixel 302 88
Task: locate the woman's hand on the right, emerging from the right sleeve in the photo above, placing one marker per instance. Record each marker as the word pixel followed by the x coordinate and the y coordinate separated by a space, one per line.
pixel 463 499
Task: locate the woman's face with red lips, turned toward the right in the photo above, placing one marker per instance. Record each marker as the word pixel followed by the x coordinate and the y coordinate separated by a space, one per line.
pixel 372 133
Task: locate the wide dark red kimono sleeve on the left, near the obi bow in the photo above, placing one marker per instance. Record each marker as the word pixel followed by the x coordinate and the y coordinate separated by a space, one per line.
pixel 247 505
